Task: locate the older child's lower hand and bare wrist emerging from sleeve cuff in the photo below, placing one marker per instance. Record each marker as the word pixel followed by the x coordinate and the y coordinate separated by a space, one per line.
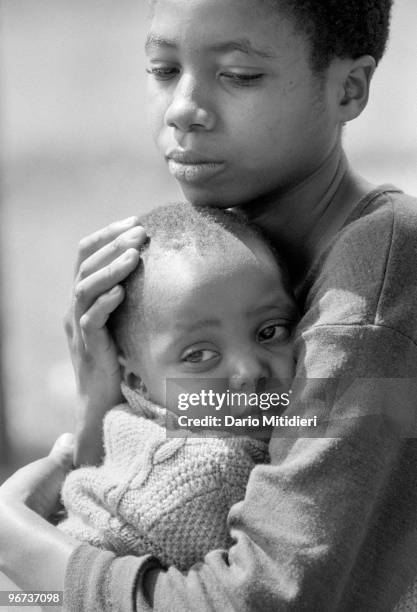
pixel 33 553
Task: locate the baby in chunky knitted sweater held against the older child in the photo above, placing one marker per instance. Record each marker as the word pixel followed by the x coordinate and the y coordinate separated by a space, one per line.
pixel 210 305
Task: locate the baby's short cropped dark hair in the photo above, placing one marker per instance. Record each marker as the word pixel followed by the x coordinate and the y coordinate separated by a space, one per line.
pixel 173 228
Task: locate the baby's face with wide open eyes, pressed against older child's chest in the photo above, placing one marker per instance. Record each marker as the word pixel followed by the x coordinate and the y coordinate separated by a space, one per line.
pixel 225 319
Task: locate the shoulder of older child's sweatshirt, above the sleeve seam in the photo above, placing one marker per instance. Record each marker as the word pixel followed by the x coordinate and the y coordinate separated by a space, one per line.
pixel 367 275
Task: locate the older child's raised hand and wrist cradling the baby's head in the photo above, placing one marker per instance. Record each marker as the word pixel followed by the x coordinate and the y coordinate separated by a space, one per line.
pixel 105 259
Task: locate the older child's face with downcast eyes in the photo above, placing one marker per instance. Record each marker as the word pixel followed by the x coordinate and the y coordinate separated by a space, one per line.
pixel 236 110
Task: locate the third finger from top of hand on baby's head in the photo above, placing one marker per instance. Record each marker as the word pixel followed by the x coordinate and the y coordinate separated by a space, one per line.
pixel 88 290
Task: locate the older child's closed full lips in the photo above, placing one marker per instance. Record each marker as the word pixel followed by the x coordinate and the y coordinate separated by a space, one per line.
pixel 187 167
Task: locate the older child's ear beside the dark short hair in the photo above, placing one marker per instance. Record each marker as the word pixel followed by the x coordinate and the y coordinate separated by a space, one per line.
pixel 354 90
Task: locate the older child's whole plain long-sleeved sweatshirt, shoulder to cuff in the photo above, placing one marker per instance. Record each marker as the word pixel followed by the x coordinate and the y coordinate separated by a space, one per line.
pixel 331 523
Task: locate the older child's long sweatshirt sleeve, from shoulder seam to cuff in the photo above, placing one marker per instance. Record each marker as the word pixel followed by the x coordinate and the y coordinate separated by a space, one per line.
pixel 310 521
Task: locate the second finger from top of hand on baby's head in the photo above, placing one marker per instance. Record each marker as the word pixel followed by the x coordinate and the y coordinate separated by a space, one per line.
pixel 132 238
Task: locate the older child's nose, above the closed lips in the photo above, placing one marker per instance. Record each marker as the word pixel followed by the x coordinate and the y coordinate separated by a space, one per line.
pixel 188 110
